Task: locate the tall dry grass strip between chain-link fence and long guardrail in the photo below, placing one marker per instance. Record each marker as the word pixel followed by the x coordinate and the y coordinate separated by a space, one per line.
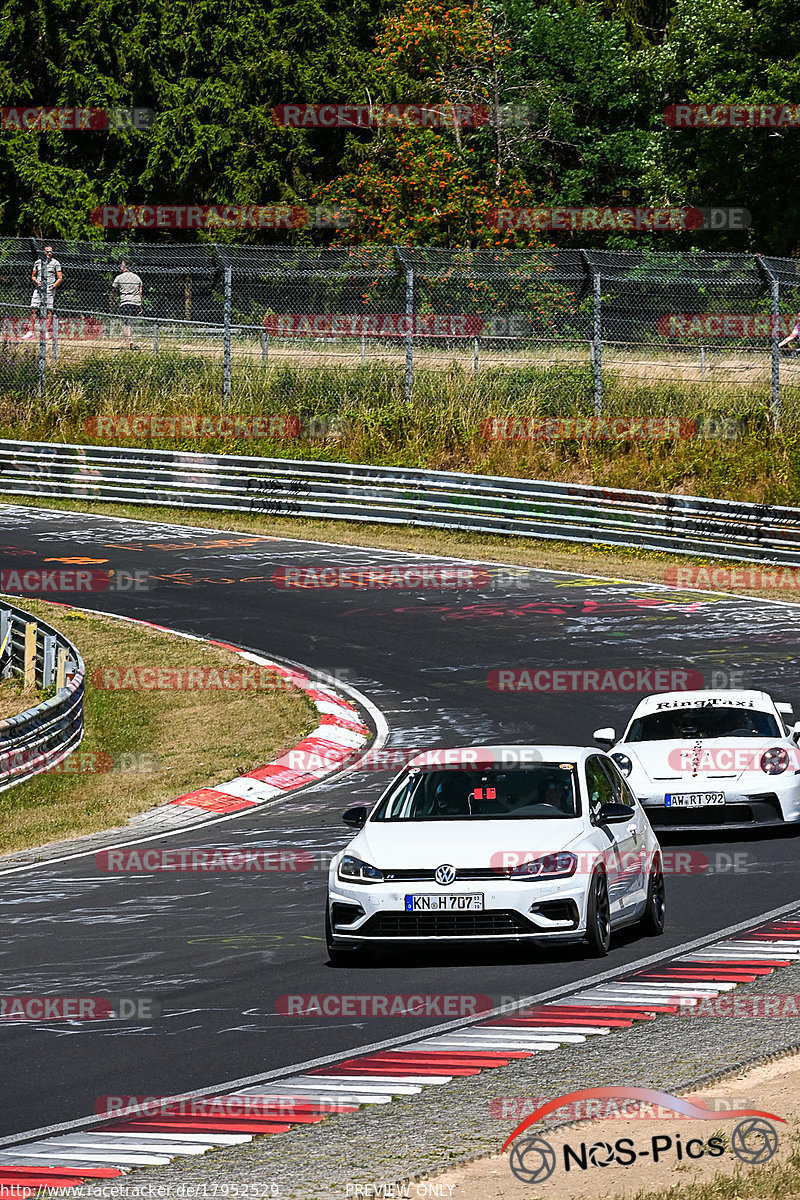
pixel 362 416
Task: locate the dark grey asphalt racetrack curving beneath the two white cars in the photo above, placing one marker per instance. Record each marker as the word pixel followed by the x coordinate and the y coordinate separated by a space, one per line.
pixel 216 952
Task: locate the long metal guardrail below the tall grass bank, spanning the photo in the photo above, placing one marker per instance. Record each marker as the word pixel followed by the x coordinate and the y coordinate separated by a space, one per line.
pixel 522 508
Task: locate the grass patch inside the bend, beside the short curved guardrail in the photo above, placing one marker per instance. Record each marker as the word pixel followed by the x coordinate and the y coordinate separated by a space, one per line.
pixel 145 748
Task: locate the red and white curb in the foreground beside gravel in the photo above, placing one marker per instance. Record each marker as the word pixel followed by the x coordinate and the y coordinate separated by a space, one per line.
pixel 380 1076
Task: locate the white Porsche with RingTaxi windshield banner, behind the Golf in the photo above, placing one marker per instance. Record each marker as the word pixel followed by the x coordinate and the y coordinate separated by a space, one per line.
pixel 711 760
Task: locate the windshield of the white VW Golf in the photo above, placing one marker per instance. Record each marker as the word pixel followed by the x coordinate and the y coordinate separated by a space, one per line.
pixel 545 791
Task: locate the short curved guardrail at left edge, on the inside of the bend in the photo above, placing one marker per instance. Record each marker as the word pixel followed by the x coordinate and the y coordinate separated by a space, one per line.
pixel 41 737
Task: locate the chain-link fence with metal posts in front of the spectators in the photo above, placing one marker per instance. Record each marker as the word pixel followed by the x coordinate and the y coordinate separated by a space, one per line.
pixel 670 321
